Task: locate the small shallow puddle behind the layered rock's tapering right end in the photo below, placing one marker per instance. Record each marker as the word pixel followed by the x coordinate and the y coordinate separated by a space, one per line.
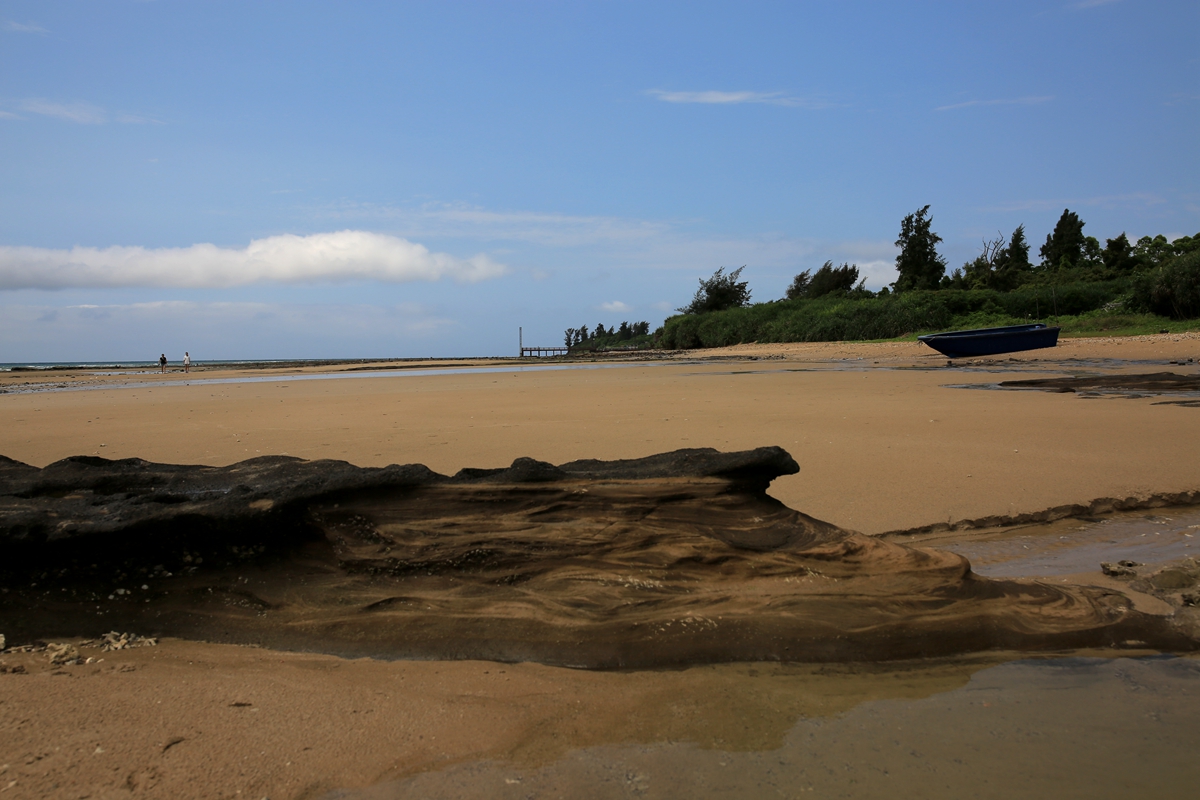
pixel 1075 546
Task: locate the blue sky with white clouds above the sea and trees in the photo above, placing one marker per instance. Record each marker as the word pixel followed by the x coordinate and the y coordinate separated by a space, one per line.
pixel 357 181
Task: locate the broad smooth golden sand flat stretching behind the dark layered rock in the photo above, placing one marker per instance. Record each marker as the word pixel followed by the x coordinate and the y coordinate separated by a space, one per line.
pixel 881 442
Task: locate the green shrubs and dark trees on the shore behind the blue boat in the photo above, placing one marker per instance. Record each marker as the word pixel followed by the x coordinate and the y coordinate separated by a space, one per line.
pixel 1149 286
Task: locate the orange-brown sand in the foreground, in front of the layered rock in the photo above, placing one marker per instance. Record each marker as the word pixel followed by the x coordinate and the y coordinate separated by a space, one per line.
pixel 187 720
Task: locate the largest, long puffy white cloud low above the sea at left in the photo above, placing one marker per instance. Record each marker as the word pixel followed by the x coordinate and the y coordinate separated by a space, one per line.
pixel 343 256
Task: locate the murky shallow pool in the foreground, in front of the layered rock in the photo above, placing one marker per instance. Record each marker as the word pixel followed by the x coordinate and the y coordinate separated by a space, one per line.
pixel 1090 729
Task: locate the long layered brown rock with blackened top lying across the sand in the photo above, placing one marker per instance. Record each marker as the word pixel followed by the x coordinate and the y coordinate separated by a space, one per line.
pixel 674 560
